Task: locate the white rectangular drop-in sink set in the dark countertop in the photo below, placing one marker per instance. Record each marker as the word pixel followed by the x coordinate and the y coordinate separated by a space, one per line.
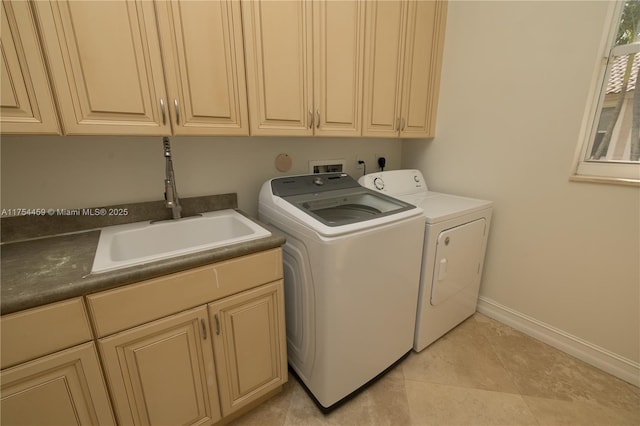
pixel 132 244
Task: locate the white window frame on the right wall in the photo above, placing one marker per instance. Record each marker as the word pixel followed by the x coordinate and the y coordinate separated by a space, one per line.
pixel 605 172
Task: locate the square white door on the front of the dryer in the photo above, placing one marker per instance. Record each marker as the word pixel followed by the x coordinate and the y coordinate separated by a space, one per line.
pixel 458 259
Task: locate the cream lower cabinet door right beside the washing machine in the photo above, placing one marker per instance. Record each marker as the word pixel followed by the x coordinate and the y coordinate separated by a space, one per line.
pixel 249 344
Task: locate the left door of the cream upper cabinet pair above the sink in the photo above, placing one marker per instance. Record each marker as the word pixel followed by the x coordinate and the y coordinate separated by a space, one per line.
pixel 106 66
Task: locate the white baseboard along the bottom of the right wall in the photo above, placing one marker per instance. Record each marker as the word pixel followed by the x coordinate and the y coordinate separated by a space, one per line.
pixel 601 358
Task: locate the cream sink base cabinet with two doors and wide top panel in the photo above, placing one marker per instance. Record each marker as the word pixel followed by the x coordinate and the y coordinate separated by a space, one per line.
pixel 196 347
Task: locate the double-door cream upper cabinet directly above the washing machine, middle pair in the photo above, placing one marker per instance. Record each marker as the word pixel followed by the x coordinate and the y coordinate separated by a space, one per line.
pixel 304 67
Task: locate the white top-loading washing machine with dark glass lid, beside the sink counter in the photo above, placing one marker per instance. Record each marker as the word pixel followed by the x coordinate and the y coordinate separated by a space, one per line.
pixel 351 275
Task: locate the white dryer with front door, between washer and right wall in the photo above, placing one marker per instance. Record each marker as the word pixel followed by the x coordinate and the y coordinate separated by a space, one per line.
pixel 455 241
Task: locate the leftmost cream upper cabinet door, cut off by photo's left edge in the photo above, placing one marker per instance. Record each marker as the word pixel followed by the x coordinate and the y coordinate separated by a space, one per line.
pixel 26 103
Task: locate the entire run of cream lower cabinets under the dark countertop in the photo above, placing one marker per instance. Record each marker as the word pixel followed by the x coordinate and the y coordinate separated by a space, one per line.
pixel 196 347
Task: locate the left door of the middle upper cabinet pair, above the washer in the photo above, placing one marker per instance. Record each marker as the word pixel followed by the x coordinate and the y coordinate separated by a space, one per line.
pixel 279 66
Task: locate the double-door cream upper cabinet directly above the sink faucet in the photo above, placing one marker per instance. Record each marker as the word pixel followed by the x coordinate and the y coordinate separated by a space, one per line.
pixel 106 65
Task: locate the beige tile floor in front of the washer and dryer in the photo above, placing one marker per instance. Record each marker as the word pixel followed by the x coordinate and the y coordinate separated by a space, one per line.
pixel 480 373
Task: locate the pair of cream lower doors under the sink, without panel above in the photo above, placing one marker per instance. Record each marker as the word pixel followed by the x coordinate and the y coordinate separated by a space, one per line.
pixel 169 371
